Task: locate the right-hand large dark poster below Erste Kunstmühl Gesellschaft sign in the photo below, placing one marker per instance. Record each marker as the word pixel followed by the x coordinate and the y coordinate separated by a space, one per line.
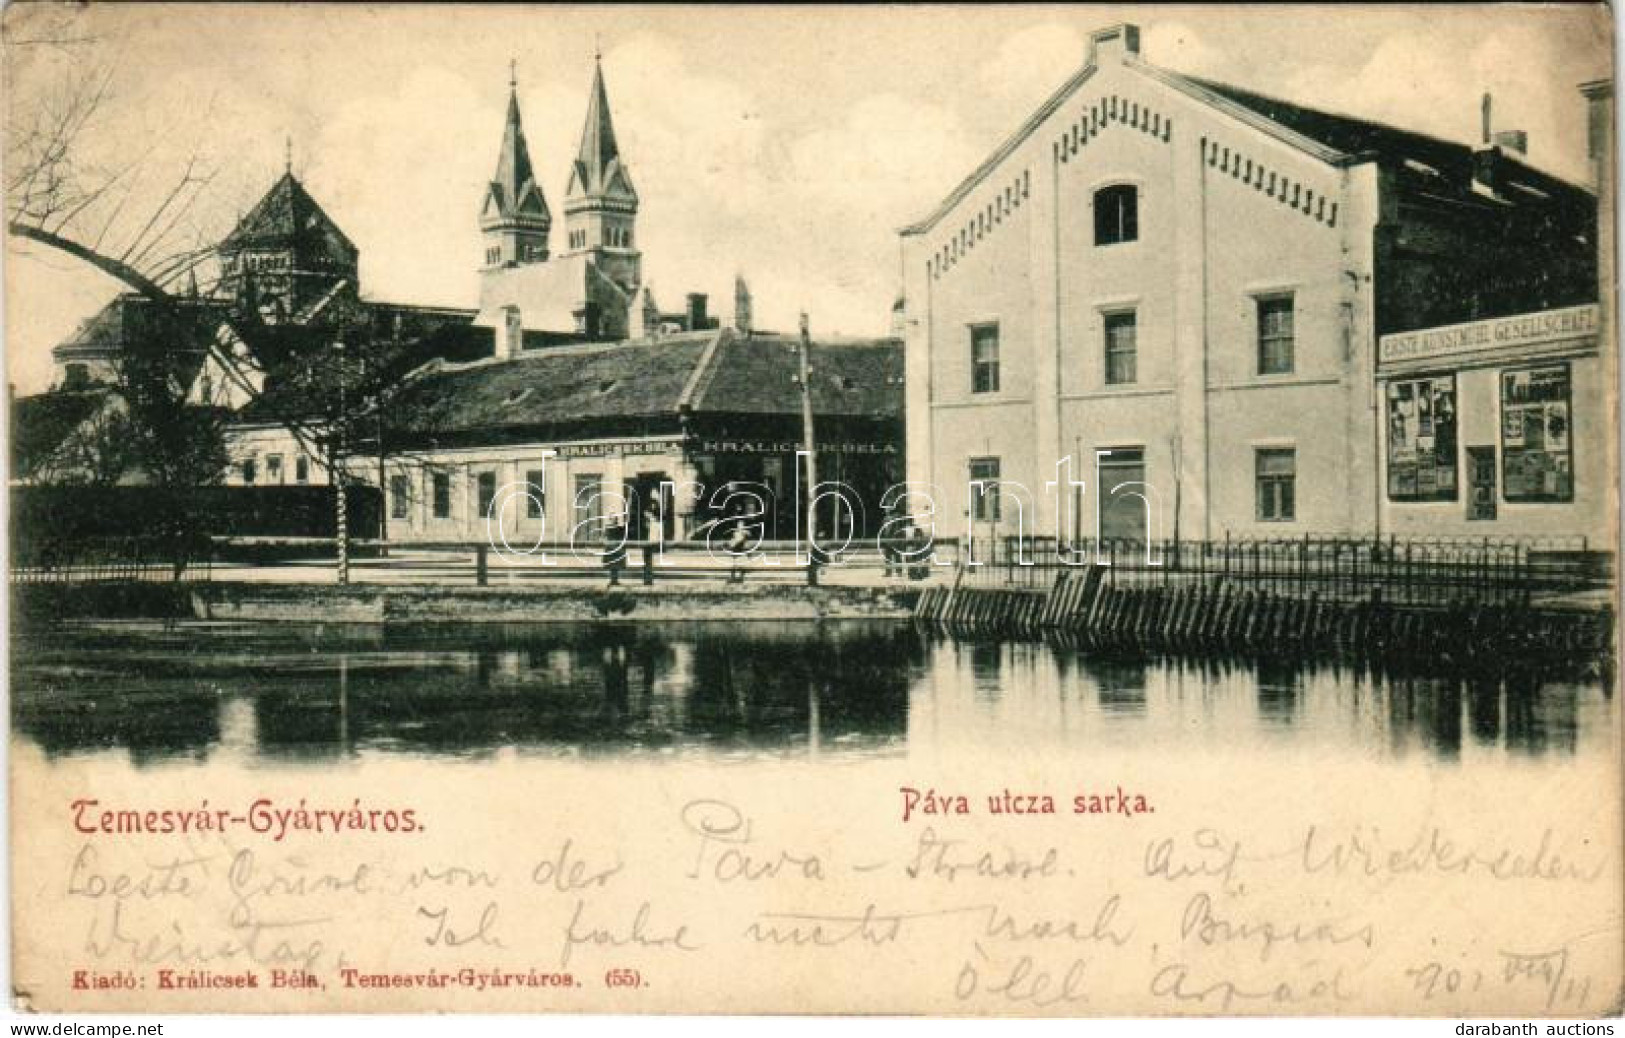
pixel 1536 435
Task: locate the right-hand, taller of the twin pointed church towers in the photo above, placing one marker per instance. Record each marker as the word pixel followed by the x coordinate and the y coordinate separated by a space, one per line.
pixel 600 207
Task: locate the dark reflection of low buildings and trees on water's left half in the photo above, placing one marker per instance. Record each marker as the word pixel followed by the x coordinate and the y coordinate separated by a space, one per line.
pixel 745 688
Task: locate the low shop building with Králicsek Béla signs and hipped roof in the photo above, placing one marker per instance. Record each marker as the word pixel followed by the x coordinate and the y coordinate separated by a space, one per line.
pixel 527 448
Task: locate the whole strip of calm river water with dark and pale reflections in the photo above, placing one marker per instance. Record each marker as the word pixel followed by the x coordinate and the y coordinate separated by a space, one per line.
pixel 849 690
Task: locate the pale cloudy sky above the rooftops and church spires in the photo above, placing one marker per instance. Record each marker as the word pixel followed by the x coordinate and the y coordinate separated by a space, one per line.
pixel 786 144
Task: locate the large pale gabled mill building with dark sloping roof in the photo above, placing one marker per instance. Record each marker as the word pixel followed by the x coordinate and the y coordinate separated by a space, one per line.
pixel 1181 285
